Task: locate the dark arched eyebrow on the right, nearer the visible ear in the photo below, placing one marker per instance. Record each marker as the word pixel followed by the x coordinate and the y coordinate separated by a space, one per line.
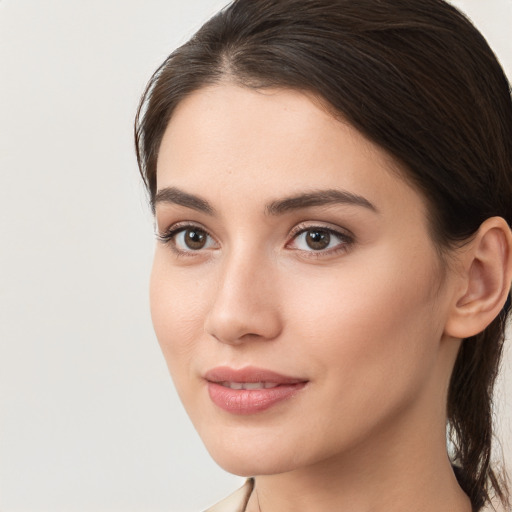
pixel 318 198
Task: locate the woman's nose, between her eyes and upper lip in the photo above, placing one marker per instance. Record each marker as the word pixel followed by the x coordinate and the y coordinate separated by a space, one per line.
pixel 245 304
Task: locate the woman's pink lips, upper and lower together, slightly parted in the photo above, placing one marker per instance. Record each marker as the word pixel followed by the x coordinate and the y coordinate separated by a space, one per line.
pixel 250 401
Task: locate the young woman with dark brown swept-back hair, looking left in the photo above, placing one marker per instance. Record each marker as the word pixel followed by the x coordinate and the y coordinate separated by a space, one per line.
pixel 332 184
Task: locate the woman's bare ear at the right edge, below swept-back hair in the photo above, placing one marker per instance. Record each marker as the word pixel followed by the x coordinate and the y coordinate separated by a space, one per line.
pixel 485 280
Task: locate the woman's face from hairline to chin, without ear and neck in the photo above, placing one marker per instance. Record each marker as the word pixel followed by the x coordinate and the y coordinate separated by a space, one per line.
pixel 296 293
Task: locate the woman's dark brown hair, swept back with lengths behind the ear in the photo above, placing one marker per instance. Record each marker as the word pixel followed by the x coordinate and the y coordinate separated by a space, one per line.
pixel 416 78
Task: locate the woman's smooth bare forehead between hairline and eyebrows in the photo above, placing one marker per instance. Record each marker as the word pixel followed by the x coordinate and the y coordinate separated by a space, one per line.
pixel 264 143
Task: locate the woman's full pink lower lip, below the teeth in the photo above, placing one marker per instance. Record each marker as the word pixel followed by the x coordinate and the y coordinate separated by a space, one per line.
pixel 251 401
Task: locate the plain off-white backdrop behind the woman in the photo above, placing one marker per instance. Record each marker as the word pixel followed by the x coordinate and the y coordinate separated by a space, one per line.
pixel 89 420
